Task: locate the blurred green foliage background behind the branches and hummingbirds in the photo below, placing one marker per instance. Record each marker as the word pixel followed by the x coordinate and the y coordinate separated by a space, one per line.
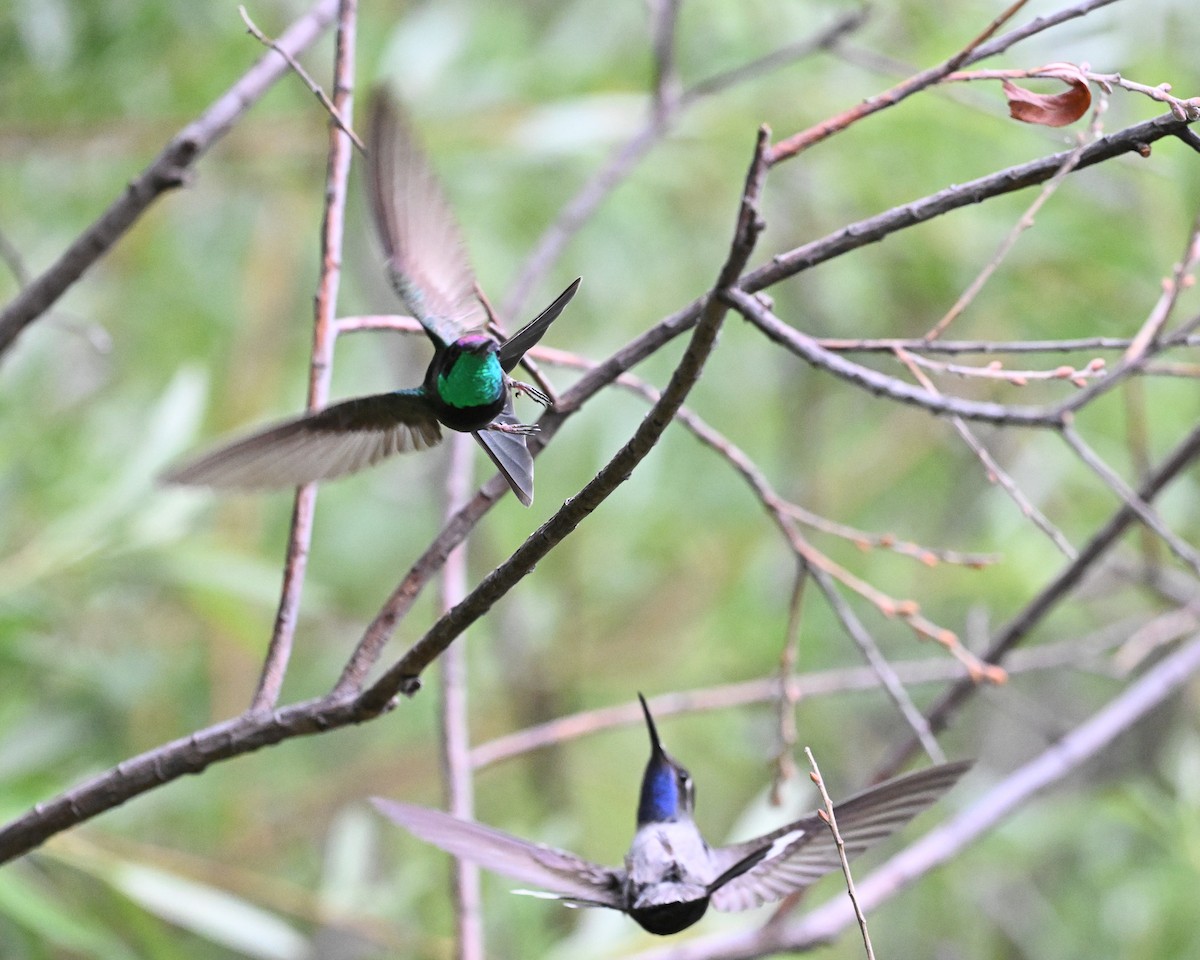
pixel 133 615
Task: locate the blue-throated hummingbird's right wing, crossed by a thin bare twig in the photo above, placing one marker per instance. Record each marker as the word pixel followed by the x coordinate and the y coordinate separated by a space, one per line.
pixel 795 856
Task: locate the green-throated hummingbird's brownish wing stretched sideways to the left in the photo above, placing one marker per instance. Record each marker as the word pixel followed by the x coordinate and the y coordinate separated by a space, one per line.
pixel 339 440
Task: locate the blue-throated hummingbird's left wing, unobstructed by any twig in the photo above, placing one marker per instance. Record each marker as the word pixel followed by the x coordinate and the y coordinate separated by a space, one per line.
pixel 569 878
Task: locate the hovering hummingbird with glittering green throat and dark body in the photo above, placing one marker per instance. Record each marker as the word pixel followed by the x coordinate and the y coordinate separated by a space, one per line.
pixel 467 386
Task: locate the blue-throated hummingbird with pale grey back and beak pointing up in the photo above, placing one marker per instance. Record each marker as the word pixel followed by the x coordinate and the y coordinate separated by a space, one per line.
pixel 671 874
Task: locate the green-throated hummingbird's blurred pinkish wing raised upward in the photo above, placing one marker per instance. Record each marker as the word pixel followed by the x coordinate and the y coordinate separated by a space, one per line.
pixel 428 263
